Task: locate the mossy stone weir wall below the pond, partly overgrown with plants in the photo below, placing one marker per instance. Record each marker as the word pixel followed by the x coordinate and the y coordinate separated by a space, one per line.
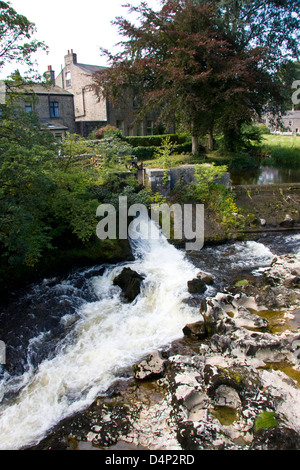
pixel 264 208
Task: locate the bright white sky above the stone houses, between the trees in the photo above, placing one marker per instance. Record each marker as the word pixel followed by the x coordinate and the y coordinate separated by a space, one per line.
pixel 81 25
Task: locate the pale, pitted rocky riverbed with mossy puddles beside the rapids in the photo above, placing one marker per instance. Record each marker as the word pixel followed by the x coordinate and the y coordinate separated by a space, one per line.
pixel 231 382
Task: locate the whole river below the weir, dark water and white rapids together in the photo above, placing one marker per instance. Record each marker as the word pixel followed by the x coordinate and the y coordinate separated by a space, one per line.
pixel 69 338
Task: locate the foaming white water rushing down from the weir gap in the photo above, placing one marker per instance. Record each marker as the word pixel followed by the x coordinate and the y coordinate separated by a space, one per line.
pixel 108 336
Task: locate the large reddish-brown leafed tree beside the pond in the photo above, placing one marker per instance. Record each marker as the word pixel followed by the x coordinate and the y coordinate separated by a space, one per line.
pixel 211 64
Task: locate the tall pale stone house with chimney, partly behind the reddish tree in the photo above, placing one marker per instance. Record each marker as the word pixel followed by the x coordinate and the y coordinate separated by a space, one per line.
pixel 92 112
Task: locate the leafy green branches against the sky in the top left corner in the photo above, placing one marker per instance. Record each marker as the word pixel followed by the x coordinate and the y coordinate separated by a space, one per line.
pixel 16 31
